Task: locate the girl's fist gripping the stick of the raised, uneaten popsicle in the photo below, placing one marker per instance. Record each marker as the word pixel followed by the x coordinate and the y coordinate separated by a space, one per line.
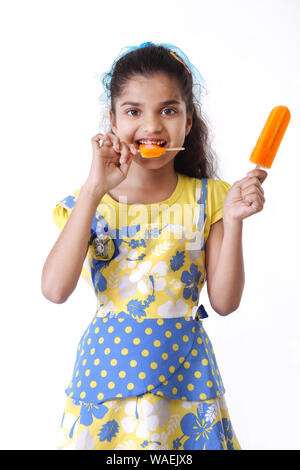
pixel 245 197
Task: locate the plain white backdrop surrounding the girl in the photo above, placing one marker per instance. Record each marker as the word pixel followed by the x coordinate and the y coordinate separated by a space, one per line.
pixel 248 52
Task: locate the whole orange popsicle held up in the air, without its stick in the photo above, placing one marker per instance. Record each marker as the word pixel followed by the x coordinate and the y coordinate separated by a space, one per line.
pixel 269 140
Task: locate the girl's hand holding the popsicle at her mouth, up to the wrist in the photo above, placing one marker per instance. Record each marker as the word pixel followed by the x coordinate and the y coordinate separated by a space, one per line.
pixel 110 162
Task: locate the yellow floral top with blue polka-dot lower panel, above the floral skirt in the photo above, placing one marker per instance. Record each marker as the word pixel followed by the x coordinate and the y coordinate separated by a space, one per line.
pixel 146 264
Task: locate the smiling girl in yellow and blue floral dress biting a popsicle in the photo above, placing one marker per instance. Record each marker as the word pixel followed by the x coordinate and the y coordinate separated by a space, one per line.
pixel 146 233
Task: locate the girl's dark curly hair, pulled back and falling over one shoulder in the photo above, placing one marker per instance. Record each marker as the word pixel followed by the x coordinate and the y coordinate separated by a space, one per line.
pixel 198 159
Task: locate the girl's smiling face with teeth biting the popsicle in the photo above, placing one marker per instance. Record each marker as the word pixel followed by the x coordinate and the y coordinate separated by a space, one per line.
pixel 151 110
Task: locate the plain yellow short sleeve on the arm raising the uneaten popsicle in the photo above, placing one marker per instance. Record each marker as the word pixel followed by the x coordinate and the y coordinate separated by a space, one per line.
pixel 216 193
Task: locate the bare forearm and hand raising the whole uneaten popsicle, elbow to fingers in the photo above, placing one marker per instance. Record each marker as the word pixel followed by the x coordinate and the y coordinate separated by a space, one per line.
pixel 224 253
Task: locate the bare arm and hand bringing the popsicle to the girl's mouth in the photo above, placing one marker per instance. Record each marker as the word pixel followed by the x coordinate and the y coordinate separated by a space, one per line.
pixel 63 266
